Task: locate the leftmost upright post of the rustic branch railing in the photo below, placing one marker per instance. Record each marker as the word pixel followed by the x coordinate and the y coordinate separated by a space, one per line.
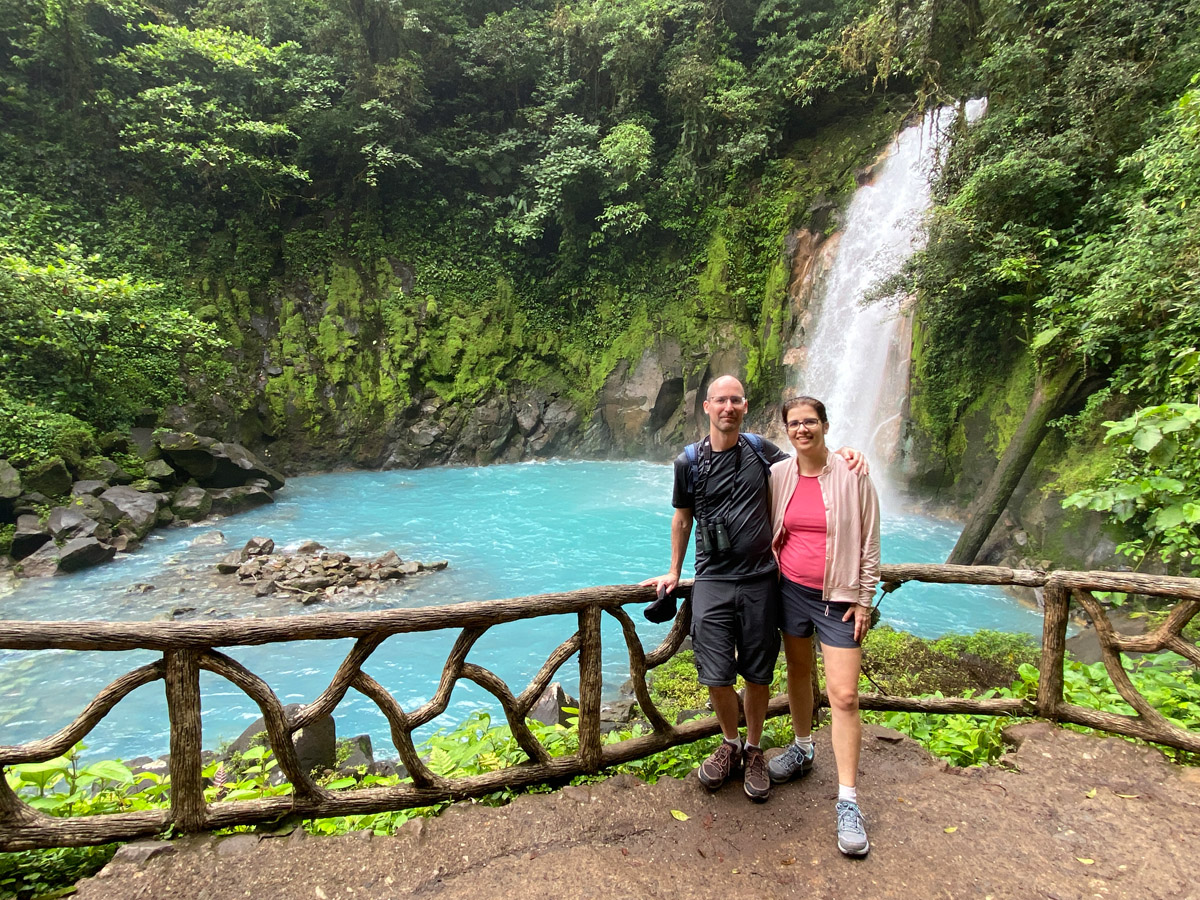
pixel 189 813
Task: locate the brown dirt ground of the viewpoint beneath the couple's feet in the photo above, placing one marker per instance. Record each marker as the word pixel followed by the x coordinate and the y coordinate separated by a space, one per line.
pixel 1070 817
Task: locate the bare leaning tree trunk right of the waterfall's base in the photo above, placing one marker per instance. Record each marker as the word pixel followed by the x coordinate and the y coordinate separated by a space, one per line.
pixel 1051 399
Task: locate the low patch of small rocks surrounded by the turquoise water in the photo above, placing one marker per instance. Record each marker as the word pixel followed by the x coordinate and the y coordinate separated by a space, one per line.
pixel 315 574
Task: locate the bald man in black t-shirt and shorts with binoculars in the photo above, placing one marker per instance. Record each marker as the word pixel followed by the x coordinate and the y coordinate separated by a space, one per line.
pixel 735 602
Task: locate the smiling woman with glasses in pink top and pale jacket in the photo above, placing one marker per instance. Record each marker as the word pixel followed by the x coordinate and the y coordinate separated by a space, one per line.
pixel 826 525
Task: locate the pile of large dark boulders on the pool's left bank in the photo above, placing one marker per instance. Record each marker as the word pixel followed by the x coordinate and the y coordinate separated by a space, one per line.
pixel 67 517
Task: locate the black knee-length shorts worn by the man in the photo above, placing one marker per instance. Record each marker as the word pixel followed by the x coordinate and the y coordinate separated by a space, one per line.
pixel 735 629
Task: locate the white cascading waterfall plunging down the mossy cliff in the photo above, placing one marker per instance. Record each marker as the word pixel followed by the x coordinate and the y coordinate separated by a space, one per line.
pixel 856 359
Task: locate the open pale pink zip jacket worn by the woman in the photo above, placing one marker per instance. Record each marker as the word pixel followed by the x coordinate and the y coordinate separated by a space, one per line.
pixel 853 524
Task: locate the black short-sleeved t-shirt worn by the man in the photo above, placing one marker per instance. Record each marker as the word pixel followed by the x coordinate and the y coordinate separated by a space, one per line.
pixel 739 495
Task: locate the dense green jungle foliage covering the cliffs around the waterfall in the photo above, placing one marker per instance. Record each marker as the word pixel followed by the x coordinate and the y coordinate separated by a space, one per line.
pixel 537 190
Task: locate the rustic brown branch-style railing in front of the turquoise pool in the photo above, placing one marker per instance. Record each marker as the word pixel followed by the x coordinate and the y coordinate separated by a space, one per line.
pixel 191 647
